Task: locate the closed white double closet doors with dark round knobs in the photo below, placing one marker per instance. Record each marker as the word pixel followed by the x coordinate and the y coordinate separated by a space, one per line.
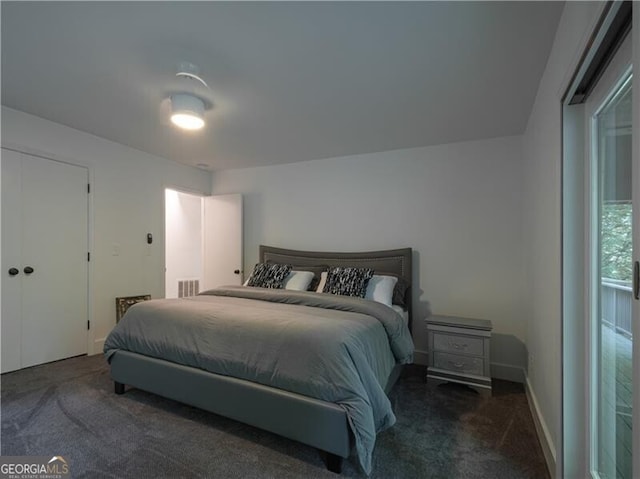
pixel 45 245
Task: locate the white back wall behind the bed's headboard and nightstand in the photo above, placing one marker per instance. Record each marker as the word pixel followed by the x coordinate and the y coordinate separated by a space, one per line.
pixel 458 205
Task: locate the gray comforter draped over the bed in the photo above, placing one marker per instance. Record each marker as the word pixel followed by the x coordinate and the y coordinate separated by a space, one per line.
pixel 335 348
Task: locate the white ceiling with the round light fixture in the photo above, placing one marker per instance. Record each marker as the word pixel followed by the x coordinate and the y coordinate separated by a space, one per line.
pixel 290 81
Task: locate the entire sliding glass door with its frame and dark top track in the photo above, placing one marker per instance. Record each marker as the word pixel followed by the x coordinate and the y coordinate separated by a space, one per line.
pixel 600 246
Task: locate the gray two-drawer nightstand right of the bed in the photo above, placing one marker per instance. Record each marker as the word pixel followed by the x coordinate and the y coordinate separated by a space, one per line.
pixel 459 351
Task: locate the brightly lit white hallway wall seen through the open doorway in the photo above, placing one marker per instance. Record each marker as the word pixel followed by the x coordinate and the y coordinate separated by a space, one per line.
pixel 183 239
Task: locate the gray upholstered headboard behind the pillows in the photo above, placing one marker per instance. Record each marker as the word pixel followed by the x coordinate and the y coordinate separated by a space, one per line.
pixel 396 261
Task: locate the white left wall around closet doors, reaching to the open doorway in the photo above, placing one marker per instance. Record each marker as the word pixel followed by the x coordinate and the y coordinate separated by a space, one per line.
pixel 127 202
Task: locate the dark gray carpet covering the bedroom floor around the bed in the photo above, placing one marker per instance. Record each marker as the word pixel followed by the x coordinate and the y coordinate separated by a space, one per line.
pixel 68 408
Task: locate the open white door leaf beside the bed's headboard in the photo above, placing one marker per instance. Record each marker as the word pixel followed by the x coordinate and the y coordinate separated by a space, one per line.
pixel 222 241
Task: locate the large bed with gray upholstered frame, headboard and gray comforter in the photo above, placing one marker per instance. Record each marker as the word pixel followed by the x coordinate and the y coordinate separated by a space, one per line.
pixel 270 404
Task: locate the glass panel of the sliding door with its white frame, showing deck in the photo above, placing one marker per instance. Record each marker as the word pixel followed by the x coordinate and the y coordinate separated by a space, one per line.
pixel 610 271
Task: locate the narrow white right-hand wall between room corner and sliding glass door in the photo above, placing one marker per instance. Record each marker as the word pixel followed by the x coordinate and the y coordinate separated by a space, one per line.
pixel 542 147
